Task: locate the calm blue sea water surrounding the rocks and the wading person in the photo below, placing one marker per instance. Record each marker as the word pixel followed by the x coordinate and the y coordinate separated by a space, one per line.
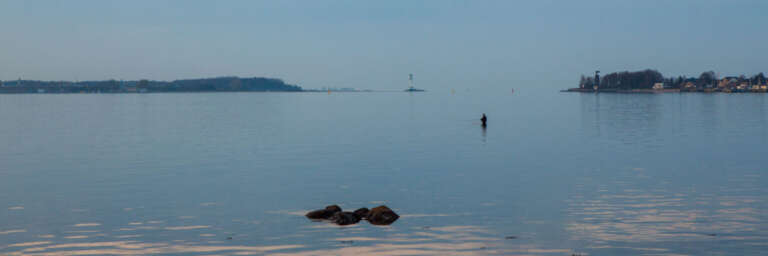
pixel 553 174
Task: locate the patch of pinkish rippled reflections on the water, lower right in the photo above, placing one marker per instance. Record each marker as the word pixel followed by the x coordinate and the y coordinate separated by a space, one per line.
pixel 628 218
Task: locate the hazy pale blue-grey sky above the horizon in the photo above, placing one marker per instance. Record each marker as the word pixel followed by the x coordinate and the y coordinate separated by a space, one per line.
pixel 376 44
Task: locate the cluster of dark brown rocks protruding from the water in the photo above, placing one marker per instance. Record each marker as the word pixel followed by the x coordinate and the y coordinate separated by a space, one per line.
pixel 381 215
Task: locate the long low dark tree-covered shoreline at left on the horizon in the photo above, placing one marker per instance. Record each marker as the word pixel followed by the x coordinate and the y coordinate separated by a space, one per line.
pixel 216 84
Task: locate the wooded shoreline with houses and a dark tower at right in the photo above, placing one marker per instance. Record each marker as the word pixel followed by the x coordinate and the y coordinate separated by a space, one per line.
pixel 651 81
